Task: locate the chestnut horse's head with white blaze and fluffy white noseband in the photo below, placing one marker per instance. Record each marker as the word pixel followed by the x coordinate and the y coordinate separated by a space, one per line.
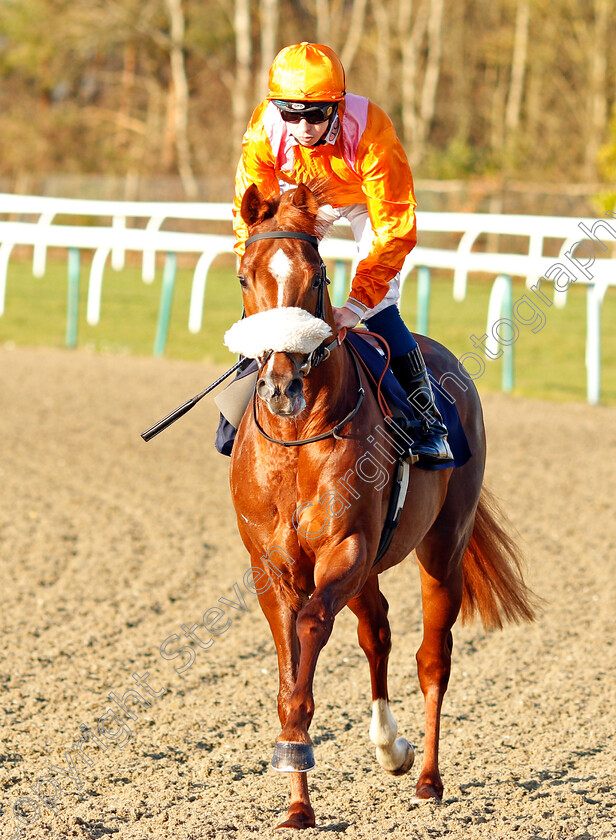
pixel 288 314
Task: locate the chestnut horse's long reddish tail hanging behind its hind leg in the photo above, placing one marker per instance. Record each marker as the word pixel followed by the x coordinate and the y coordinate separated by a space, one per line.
pixel 493 585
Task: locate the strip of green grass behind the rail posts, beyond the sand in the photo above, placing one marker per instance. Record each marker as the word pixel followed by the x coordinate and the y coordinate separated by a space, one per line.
pixel 548 364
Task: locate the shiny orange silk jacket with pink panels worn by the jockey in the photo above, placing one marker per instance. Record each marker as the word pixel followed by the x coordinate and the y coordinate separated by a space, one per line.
pixel 361 161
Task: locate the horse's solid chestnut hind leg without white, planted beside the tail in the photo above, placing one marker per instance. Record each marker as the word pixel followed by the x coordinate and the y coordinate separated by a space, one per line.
pixel 441 599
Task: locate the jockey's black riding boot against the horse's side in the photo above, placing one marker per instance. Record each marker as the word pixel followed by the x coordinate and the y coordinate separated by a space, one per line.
pixel 431 443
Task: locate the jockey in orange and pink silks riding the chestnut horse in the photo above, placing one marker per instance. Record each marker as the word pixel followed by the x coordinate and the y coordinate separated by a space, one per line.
pixel 309 129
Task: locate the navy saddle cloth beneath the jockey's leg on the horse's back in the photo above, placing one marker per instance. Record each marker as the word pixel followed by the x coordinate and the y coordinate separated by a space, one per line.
pixel 394 396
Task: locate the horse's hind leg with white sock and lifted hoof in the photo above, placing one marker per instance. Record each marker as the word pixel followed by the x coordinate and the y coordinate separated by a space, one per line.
pixel 396 755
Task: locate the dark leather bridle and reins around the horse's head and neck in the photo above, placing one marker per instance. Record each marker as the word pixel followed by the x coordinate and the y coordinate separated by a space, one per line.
pixel 320 354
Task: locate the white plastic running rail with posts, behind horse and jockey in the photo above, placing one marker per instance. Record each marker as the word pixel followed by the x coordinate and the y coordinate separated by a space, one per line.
pixel 583 252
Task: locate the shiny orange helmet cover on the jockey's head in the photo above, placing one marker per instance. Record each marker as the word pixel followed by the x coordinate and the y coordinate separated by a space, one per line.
pixel 307 73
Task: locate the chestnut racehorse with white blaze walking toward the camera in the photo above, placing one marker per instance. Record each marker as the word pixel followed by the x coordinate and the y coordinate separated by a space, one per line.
pixel 310 511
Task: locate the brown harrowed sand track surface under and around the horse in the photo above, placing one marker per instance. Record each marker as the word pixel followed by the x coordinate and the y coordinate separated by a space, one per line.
pixel 108 546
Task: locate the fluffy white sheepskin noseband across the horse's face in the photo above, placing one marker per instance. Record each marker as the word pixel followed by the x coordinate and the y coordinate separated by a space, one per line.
pixel 284 329
